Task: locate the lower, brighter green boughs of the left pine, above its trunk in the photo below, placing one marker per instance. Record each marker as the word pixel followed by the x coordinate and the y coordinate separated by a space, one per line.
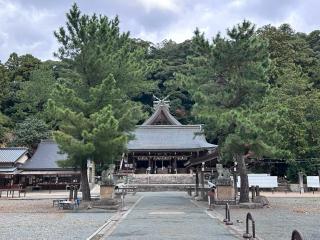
pixel 91 128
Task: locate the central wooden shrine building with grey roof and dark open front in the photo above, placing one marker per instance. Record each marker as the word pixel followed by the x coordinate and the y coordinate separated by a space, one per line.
pixel 162 145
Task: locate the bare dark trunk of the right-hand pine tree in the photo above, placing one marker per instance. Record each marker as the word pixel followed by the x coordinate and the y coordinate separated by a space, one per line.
pixel 244 181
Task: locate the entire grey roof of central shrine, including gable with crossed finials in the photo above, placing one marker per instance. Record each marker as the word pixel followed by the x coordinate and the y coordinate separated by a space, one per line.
pixel 162 132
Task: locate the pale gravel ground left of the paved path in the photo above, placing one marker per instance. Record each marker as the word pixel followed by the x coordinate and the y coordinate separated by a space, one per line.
pixel 37 219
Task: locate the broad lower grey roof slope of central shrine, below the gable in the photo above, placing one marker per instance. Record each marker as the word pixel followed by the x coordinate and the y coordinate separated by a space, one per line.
pixel 169 138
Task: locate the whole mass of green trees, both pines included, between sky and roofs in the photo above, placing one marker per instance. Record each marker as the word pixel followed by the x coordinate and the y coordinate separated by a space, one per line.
pixel 257 90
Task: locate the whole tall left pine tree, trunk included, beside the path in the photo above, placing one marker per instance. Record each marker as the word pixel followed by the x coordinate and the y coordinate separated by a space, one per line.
pixel 92 103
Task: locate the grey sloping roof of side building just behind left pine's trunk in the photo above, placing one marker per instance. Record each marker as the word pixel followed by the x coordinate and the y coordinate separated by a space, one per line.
pixel 45 157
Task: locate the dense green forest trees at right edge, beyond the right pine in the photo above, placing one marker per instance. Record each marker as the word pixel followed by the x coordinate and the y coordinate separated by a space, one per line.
pixel 293 97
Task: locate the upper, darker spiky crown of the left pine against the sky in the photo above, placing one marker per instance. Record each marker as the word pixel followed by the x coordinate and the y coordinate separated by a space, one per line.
pixel 94 47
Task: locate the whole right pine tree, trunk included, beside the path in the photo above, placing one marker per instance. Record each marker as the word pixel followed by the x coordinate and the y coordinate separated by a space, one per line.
pixel 229 77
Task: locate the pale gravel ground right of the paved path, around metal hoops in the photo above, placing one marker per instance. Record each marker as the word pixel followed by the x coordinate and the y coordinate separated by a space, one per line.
pixel 284 215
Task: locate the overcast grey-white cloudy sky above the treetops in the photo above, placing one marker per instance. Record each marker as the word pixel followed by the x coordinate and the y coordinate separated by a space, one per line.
pixel 26 26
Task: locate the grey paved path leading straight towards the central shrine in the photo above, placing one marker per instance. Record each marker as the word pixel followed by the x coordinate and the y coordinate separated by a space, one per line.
pixel 169 215
